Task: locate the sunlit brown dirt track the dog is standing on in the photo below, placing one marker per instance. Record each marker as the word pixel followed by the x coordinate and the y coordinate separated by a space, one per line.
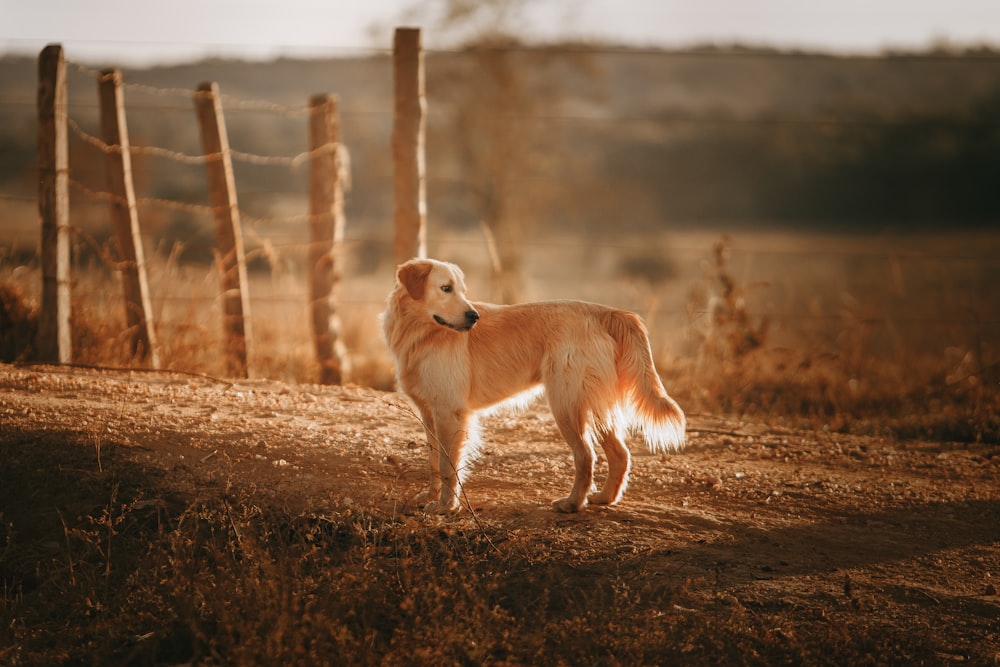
pixel 802 527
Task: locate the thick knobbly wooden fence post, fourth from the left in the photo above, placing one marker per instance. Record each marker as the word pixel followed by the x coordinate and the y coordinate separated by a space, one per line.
pixel 326 234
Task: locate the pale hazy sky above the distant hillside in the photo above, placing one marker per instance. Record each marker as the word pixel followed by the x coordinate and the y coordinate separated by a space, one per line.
pixel 151 31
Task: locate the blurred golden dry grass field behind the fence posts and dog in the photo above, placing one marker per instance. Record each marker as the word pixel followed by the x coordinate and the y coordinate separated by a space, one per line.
pixel 849 339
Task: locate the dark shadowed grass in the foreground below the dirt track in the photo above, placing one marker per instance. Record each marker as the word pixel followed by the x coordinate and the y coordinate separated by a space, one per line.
pixel 145 577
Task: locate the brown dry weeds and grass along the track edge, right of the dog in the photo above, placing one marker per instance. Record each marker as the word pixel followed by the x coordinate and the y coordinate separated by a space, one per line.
pixel 845 382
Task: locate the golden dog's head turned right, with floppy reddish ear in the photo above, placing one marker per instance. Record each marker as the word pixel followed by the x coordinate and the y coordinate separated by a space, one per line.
pixel 439 287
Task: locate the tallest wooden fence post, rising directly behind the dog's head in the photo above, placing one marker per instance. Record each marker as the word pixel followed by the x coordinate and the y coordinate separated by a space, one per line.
pixel 408 146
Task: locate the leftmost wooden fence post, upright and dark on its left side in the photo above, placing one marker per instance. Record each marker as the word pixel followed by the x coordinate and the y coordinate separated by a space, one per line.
pixel 54 340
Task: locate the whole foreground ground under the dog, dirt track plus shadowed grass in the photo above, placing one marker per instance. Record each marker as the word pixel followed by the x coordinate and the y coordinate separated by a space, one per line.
pixel 171 519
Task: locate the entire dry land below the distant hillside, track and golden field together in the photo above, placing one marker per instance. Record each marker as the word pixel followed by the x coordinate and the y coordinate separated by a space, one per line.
pixel 838 503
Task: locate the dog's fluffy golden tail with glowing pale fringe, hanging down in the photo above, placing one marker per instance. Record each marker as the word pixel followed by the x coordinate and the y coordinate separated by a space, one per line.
pixel 651 411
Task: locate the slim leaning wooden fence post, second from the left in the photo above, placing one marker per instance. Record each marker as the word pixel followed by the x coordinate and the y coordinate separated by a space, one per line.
pixel 138 309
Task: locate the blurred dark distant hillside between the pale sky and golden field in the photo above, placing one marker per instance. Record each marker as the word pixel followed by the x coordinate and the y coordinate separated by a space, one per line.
pixel 638 138
